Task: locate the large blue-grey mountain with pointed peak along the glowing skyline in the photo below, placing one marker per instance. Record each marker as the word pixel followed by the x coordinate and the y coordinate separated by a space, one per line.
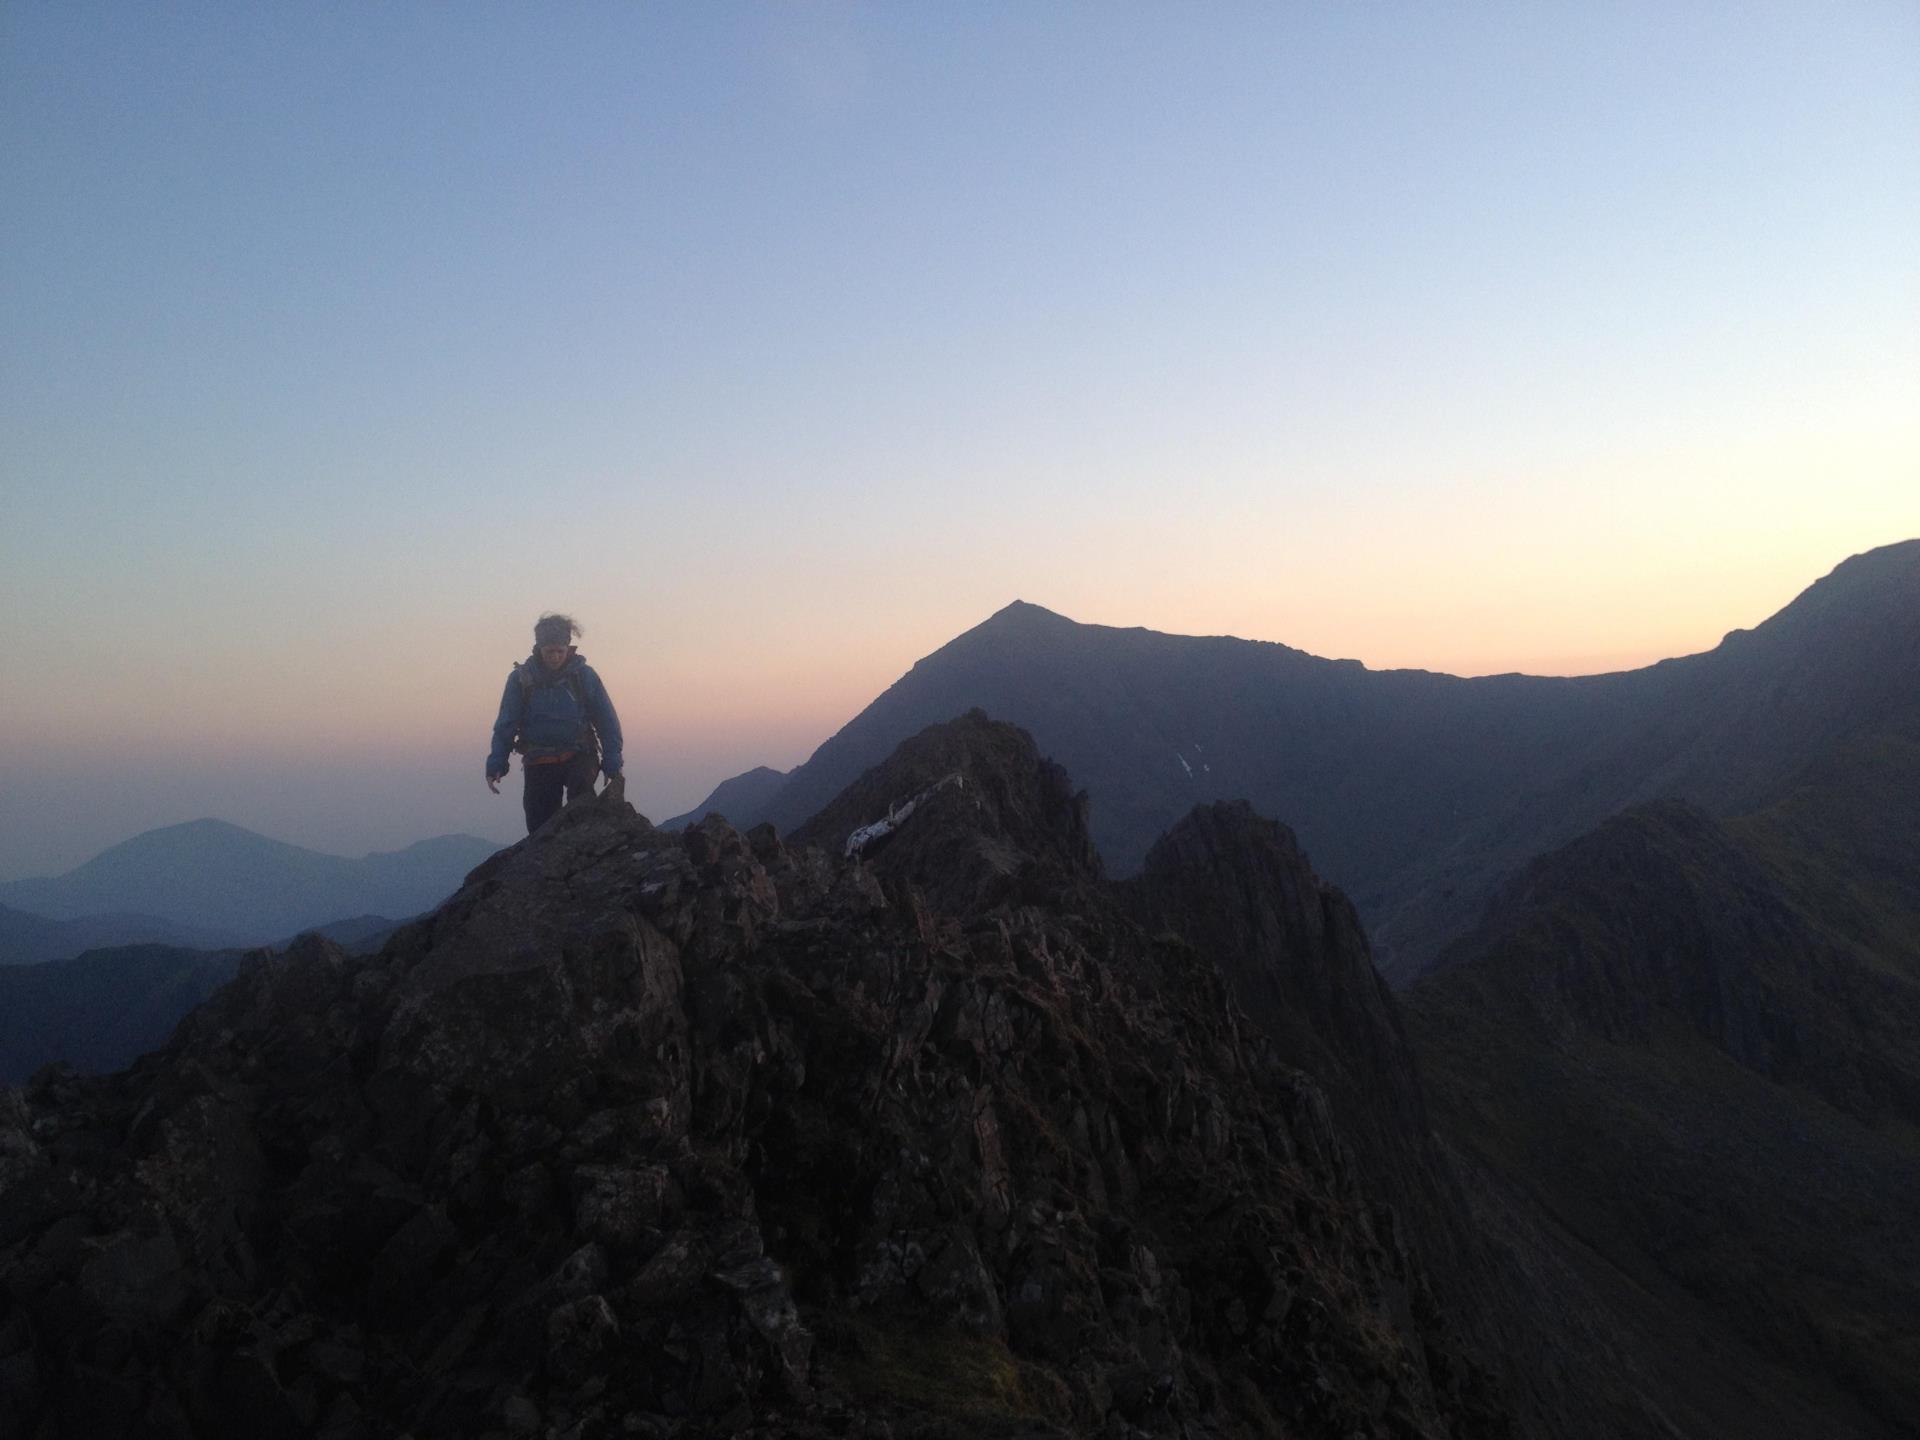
pixel 1414 792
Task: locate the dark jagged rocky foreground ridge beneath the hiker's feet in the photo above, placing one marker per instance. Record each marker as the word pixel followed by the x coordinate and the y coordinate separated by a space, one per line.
pixel 709 1134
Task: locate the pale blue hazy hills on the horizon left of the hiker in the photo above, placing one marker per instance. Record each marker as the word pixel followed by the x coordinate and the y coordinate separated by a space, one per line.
pixel 220 876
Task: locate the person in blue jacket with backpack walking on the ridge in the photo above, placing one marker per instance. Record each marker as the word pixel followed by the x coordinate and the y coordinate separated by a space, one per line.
pixel 556 713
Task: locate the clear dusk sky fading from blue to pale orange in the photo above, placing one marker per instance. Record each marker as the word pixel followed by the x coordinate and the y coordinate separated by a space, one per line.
pixel 780 345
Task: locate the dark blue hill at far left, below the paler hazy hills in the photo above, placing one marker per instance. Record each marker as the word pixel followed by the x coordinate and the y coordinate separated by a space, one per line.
pixel 103 1009
